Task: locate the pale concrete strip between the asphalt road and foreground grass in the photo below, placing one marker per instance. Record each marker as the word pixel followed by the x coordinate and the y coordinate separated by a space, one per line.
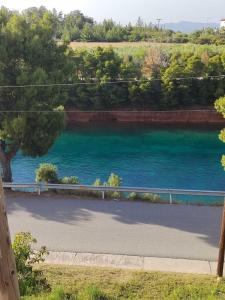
pixel 176 265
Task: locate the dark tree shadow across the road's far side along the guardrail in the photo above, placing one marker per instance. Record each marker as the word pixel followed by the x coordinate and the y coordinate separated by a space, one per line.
pixel 204 221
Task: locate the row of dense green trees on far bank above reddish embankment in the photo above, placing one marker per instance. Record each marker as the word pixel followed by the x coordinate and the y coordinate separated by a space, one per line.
pixel 161 81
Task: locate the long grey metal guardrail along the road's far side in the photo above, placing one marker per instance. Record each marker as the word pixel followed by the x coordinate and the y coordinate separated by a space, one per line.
pixel 39 187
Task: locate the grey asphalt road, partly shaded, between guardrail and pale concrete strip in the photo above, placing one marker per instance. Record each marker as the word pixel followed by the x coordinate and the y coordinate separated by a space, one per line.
pixel 97 226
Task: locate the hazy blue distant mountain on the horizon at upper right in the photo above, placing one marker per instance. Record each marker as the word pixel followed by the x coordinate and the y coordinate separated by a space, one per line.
pixel 186 26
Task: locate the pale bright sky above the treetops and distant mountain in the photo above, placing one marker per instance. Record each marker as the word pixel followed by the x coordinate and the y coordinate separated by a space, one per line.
pixel 124 11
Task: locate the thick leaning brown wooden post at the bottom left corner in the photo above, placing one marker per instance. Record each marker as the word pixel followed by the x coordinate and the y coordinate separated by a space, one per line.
pixel 9 289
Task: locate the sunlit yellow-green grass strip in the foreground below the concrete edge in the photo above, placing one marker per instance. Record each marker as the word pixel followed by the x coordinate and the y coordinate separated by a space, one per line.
pixel 83 283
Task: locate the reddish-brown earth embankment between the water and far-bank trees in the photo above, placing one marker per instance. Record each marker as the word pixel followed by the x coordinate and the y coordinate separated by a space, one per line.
pixel 157 117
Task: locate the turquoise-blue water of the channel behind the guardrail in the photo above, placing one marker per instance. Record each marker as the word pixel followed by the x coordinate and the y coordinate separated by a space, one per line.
pixel 142 156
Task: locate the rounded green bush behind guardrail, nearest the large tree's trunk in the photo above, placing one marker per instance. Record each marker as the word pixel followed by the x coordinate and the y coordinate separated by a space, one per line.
pixel 47 173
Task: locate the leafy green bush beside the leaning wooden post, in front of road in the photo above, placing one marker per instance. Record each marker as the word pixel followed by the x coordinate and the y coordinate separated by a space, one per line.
pixel 30 281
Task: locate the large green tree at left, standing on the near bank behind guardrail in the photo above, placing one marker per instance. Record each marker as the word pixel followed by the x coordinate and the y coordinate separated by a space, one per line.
pixel 35 117
